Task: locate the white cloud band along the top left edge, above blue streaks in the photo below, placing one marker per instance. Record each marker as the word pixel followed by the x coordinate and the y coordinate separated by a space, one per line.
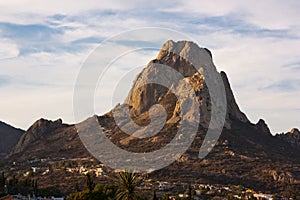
pixel 32 11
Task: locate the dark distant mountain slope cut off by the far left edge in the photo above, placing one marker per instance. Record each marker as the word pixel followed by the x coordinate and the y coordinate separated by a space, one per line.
pixel 9 138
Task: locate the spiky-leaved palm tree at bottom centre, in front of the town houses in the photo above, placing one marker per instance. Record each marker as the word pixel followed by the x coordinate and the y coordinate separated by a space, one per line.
pixel 127 182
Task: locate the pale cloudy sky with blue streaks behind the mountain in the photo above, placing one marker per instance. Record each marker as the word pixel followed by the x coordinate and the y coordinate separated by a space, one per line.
pixel 43 45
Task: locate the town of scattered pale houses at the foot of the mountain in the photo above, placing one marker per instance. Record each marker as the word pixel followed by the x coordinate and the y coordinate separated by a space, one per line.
pixel 101 174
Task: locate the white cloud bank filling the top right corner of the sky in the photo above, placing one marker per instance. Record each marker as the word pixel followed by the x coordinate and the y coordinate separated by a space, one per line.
pixel 267 14
